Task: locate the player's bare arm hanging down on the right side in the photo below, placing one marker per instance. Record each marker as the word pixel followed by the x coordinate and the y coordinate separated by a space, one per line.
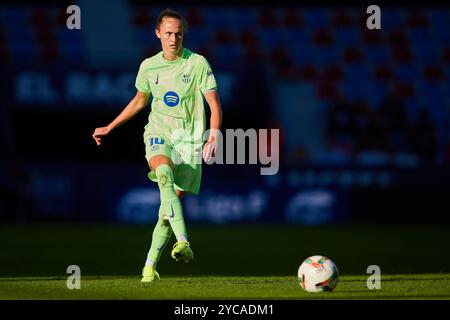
pixel 212 98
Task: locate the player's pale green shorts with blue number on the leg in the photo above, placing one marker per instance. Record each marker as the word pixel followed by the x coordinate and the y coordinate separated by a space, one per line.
pixel 188 169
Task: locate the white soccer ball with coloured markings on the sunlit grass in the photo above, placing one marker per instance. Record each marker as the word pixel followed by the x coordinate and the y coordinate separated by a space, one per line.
pixel 317 274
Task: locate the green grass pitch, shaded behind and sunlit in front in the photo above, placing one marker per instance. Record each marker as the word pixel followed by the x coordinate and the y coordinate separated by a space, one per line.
pixel 231 262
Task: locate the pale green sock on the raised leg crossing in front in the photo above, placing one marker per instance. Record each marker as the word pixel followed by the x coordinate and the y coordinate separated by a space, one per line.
pixel 170 203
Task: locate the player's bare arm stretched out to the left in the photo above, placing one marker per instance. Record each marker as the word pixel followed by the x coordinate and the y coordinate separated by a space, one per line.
pixel 136 104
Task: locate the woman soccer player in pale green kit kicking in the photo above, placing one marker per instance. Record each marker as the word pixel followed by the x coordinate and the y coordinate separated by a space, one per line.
pixel 177 79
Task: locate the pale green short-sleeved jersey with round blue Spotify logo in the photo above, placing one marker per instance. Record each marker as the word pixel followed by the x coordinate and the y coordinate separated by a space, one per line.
pixel 177 88
